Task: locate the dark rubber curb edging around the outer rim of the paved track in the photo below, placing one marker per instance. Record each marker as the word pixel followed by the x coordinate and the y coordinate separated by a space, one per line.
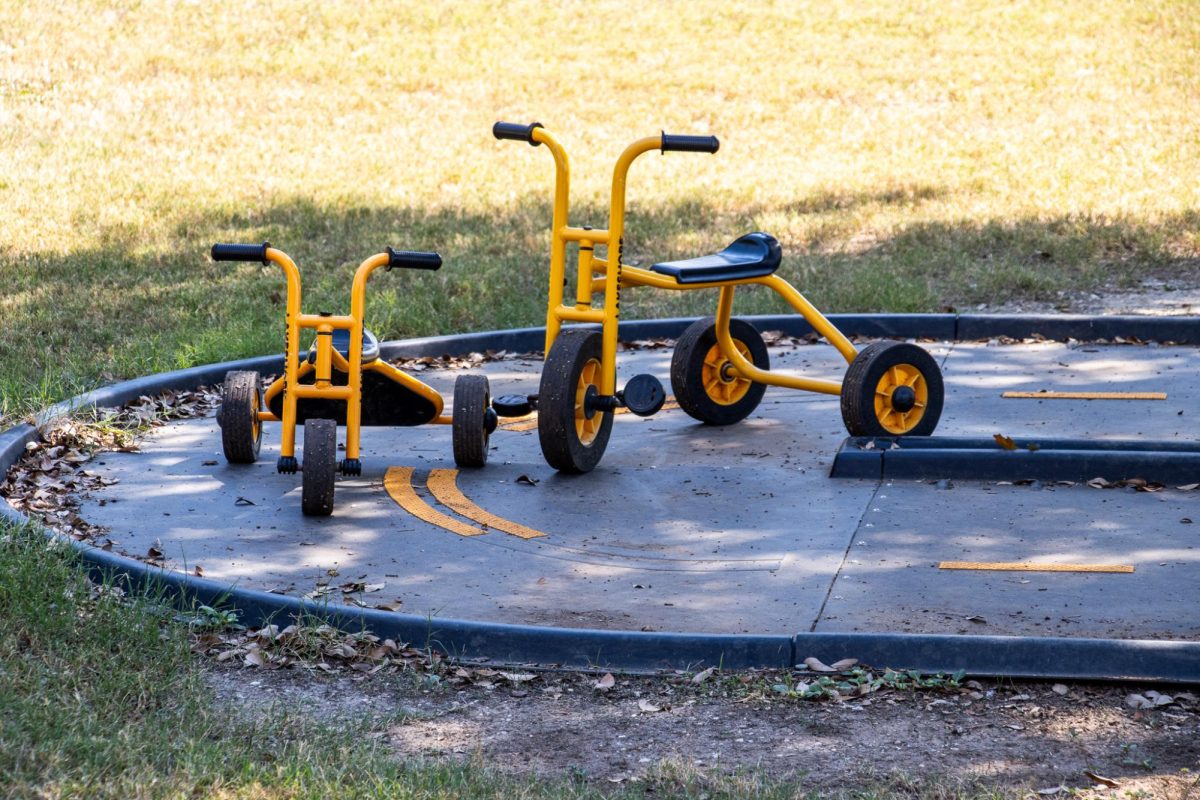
pixel 1169 661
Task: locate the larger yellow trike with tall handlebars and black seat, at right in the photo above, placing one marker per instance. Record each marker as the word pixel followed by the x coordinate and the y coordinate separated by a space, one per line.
pixel 721 365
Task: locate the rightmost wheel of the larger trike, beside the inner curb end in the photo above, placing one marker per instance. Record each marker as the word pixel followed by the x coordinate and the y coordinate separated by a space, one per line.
pixel 871 406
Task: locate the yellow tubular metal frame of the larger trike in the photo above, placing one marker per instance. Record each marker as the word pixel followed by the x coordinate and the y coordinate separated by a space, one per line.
pixel 615 276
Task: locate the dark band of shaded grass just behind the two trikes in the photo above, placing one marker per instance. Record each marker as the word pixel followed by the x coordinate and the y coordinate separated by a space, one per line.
pixel 141 303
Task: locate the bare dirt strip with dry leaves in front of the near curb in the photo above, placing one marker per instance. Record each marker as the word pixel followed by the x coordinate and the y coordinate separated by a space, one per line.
pixel 1025 737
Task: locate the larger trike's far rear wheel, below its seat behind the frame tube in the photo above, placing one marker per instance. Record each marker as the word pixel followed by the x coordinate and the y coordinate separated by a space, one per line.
pixel 701 380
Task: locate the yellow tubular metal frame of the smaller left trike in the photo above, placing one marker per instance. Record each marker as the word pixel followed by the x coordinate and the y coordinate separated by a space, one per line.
pixel 329 359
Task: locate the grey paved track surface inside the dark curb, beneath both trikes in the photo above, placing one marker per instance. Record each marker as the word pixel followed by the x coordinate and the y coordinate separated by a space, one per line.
pixel 716 531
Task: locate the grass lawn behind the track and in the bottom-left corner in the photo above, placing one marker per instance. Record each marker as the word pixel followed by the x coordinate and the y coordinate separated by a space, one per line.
pixel 910 157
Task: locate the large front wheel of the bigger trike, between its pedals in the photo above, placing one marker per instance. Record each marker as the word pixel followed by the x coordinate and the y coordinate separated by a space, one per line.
pixel 571 441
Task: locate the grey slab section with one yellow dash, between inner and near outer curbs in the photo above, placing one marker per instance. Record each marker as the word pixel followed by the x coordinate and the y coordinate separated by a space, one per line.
pixel 891 581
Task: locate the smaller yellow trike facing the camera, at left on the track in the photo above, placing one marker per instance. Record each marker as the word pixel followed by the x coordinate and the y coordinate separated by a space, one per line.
pixel 340 381
